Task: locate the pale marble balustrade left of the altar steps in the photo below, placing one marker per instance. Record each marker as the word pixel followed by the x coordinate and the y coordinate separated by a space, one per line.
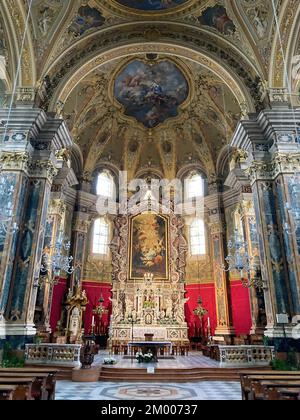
pixel 53 354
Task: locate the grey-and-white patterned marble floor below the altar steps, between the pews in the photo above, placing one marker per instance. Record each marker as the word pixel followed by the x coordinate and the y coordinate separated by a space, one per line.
pixel 212 391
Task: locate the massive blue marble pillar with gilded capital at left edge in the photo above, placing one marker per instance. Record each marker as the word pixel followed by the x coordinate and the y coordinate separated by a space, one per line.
pixel 33 138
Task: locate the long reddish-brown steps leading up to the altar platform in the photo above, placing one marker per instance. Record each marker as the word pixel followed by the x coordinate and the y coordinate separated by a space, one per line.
pixel 169 375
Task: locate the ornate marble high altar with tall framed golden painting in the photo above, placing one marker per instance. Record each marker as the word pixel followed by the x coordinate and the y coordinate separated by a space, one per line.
pixel 149 258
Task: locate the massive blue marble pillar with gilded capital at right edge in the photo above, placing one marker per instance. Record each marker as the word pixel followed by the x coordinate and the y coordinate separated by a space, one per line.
pixel 271 142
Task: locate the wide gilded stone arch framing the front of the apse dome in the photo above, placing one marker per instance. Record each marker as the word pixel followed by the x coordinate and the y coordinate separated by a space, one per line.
pixel 209 50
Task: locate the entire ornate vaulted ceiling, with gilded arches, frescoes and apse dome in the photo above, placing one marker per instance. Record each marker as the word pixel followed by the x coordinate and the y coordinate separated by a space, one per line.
pixel 227 52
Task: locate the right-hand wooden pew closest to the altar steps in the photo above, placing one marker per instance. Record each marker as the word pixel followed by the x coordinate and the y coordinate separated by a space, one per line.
pixel 251 382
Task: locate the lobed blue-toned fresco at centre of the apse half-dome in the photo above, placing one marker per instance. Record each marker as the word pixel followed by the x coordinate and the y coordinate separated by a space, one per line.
pixel 151 93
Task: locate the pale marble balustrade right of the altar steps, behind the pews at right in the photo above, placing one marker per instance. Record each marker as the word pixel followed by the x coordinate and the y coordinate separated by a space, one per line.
pixel 246 355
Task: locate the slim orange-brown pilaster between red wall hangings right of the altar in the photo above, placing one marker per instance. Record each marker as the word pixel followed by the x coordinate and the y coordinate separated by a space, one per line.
pixel 224 316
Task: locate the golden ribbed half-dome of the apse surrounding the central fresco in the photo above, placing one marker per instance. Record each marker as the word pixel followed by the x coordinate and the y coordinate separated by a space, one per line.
pixel 105 133
